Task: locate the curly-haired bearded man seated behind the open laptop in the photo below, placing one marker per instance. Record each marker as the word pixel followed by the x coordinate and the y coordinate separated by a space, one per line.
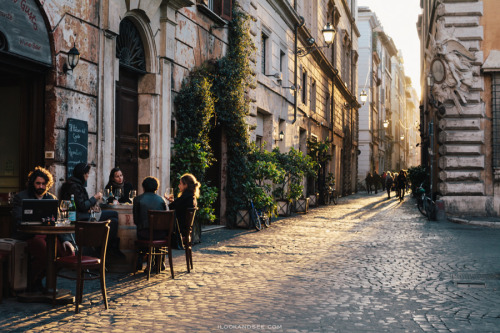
pixel 39 182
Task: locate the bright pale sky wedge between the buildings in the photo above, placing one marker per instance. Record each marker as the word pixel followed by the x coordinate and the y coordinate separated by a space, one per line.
pixel 399 19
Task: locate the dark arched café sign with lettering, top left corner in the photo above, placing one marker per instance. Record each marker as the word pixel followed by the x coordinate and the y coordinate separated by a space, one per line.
pixel 23 27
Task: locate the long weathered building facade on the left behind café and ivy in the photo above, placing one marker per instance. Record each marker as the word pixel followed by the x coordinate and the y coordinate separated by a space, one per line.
pixel 134 56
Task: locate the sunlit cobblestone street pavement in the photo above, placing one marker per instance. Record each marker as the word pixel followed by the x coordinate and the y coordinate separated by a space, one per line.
pixel 366 265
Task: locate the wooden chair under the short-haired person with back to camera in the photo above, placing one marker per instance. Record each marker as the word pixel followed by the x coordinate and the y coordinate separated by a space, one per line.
pixel 159 220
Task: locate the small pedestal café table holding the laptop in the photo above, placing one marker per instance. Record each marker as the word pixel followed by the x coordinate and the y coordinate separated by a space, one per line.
pixel 51 232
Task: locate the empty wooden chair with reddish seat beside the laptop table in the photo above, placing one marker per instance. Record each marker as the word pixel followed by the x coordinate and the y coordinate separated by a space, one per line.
pixel 87 235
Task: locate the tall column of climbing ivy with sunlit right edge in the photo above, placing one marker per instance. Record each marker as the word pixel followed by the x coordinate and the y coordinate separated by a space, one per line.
pixel 232 80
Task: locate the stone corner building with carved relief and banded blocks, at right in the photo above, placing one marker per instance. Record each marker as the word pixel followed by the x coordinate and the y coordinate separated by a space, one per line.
pixel 459 47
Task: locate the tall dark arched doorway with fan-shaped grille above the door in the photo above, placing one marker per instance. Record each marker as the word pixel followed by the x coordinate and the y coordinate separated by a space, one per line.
pixel 130 51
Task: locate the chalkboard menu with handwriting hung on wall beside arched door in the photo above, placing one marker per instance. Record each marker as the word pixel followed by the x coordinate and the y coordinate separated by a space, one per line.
pixel 78 139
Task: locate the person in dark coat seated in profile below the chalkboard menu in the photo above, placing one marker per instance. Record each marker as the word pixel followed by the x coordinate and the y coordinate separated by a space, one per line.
pixel 76 186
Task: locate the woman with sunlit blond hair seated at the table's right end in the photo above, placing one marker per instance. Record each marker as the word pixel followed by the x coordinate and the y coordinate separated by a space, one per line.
pixel 189 191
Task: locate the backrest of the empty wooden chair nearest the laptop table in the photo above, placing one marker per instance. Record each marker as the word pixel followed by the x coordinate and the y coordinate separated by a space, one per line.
pixel 92 234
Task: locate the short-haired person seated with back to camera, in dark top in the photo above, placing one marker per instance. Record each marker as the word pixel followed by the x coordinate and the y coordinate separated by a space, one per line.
pixel 149 200
